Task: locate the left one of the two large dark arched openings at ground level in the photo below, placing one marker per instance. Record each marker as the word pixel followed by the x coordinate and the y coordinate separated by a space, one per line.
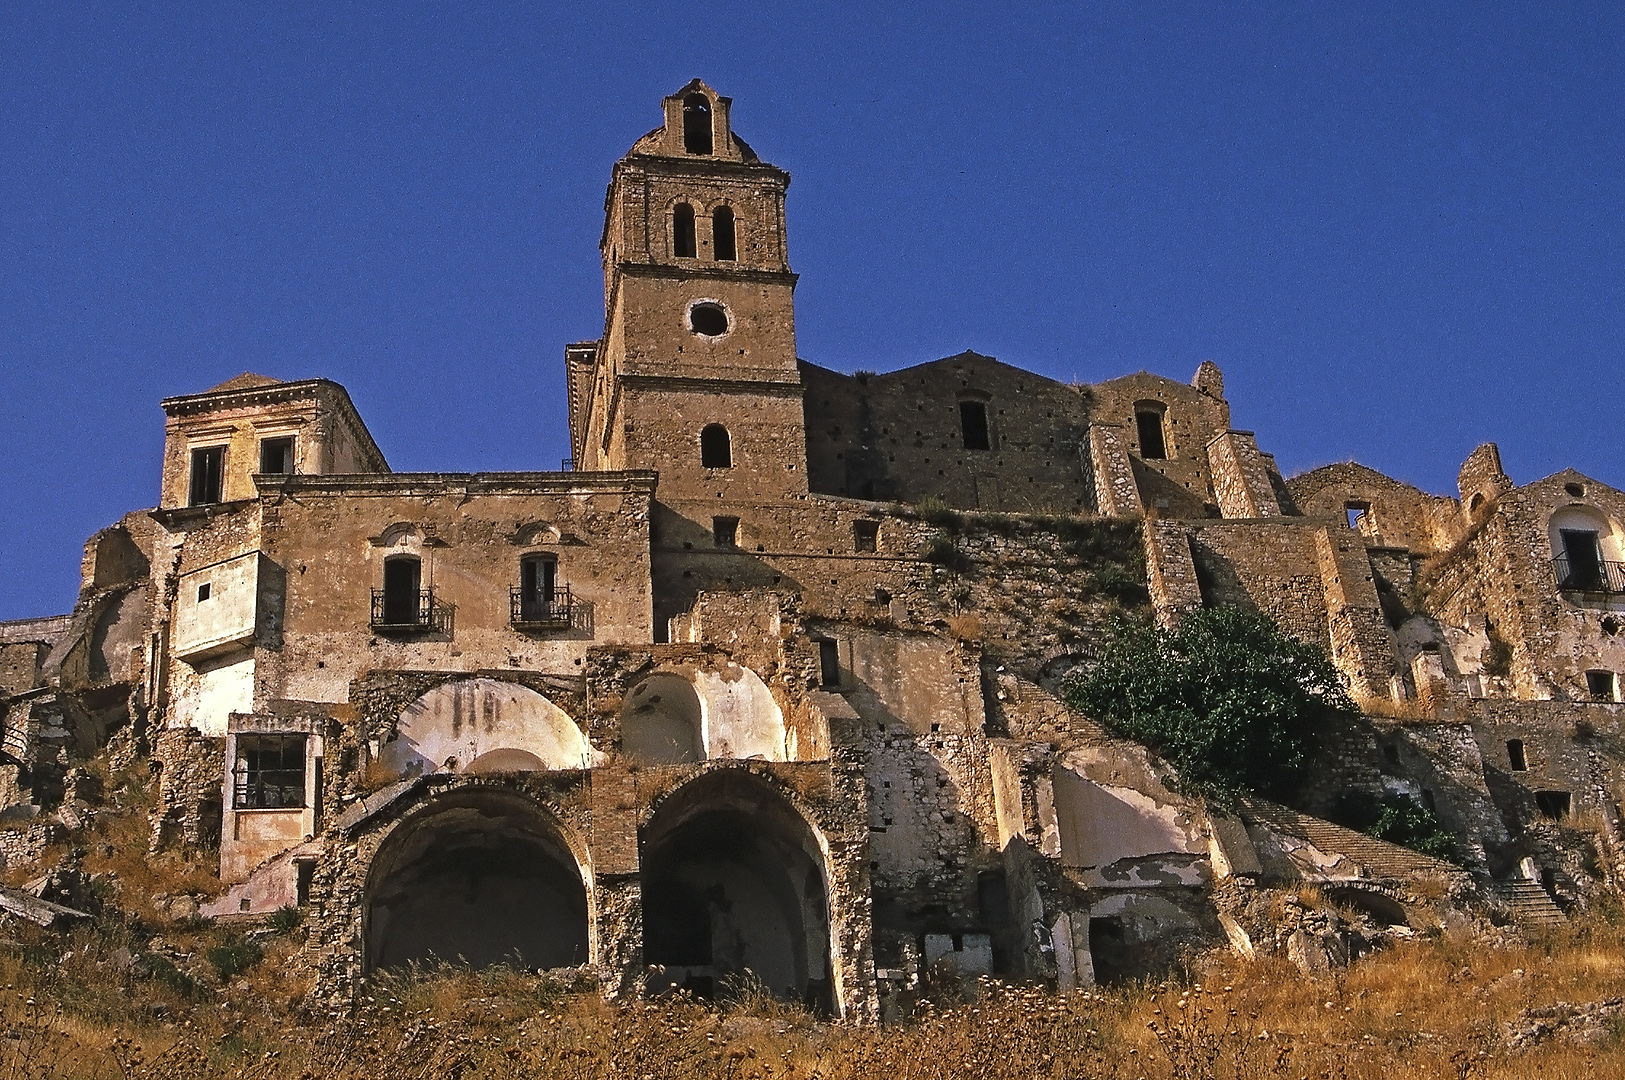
pixel 480 878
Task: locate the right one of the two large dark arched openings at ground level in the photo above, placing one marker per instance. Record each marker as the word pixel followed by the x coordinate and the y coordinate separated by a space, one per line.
pixel 735 889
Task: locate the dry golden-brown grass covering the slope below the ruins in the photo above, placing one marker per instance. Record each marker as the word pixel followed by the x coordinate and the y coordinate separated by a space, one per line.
pixel 77 1009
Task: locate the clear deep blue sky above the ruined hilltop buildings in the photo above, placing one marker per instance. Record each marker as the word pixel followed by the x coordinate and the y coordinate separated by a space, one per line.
pixel 1398 228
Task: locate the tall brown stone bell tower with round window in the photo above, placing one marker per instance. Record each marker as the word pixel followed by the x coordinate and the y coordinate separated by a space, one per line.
pixel 696 374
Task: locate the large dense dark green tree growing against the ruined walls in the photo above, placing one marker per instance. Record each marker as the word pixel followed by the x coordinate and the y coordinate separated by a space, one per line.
pixel 1228 699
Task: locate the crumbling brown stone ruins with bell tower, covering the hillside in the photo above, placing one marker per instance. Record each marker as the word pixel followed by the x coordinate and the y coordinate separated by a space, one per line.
pixel 766 678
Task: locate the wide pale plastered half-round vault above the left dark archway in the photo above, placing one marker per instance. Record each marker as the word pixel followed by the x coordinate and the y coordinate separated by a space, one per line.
pixel 487 724
